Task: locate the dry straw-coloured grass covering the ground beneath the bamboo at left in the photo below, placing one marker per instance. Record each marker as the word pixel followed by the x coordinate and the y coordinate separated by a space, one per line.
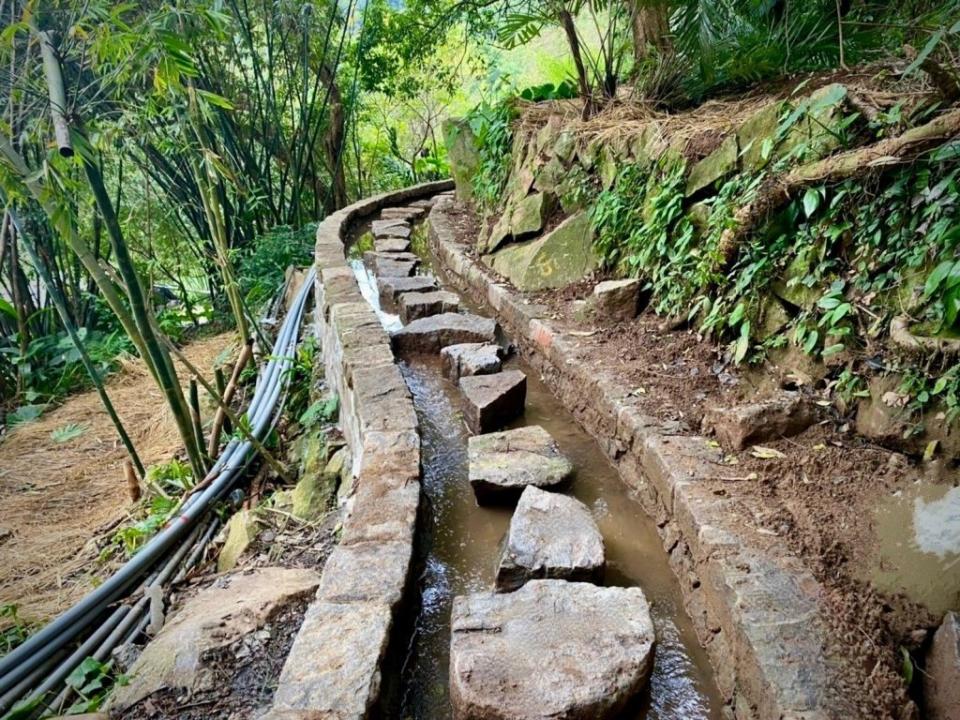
pixel 58 498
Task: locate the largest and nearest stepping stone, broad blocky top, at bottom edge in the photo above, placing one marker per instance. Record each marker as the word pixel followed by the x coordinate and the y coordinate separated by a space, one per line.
pixel 552 649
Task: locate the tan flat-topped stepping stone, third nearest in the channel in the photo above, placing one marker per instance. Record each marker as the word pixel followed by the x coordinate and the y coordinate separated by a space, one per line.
pixel 502 464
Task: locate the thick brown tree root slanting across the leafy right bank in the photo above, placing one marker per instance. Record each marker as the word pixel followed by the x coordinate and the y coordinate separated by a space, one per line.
pixel 778 190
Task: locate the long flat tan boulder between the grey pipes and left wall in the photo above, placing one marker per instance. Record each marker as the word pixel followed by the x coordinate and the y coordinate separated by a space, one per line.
pixel 207 624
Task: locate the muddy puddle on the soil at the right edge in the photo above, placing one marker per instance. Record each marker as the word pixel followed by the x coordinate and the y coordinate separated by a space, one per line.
pixel 918 545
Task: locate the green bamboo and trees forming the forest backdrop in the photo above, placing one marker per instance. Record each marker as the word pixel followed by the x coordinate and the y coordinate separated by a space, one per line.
pixel 160 160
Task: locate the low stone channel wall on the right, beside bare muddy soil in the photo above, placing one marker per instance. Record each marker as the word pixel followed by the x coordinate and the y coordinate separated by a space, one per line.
pixel 757 610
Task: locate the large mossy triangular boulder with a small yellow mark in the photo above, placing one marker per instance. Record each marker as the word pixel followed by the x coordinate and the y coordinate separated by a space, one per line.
pixel 562 256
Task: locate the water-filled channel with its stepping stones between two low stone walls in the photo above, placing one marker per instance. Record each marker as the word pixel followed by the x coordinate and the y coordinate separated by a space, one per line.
pixel 542 611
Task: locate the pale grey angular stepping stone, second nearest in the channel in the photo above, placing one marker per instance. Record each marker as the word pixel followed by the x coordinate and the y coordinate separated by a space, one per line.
pixel 550 536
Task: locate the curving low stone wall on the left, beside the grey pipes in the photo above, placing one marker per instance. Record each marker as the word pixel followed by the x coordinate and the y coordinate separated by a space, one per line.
pixel 334 667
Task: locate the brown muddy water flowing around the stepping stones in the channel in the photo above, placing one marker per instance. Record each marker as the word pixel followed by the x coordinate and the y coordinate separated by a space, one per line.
pixel 459 542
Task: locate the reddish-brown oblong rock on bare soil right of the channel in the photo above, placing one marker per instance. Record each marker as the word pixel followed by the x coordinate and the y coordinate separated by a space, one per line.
pixel 783 415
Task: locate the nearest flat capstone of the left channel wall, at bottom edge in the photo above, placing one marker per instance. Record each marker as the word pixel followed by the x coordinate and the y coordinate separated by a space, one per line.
pixel 333 669
